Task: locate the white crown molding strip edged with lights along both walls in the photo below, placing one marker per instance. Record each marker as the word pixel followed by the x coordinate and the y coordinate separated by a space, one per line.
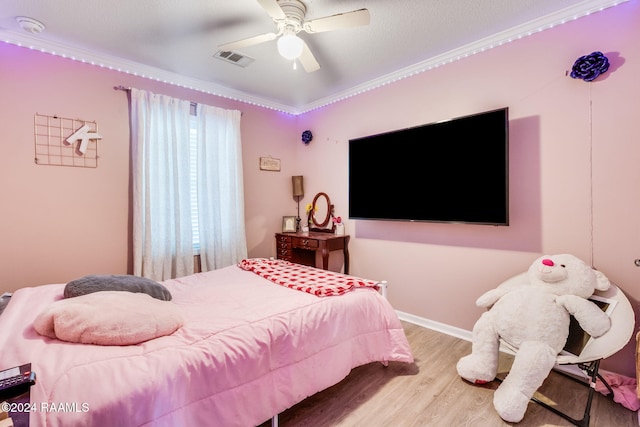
pixel 569 14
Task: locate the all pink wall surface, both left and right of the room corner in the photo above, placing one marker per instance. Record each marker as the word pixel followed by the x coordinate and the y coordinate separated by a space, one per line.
pixel 573 174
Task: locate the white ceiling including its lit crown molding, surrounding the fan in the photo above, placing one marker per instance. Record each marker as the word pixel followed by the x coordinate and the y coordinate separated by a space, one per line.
pixel 175 40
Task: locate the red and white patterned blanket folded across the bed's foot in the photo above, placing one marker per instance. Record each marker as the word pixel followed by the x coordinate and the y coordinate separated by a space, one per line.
pixel 317 282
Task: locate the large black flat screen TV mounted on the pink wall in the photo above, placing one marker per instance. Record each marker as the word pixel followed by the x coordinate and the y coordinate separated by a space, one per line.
pixel 453 171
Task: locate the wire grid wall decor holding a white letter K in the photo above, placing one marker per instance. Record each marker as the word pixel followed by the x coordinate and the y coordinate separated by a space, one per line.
pixel 52 147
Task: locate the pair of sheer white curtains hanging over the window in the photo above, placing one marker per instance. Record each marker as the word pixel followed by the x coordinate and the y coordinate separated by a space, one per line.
pixel 162 199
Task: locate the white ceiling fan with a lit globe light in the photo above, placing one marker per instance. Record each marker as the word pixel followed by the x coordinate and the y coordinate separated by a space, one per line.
pixel 288 16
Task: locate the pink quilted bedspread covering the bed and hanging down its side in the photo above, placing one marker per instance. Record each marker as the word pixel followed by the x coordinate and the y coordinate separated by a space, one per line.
pixel 248 350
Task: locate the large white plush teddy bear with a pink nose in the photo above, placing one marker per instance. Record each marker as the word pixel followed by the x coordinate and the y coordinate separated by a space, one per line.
pixel 532 315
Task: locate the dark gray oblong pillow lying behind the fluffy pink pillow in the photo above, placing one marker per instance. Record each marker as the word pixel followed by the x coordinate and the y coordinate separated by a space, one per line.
pixel 96 282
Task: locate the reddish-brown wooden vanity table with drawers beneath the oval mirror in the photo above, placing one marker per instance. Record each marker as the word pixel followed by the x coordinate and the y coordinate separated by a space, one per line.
pixel 301 248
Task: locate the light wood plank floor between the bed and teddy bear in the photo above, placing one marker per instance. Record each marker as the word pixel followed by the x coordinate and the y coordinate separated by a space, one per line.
pixel 430 393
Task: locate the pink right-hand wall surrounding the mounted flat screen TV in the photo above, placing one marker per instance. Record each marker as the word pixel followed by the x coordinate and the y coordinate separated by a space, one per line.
pixel 561 200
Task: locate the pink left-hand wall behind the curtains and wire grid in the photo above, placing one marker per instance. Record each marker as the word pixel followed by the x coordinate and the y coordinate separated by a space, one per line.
pixel 58 223
